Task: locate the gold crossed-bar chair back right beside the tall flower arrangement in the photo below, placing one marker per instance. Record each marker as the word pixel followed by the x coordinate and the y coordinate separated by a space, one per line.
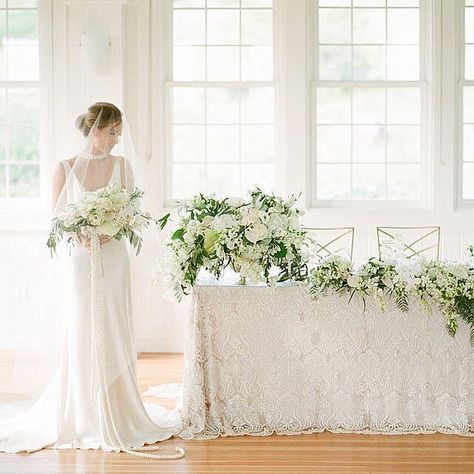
pixel 330 241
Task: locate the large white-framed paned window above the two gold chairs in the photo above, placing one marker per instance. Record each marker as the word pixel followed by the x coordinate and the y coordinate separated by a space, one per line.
pixel 369 101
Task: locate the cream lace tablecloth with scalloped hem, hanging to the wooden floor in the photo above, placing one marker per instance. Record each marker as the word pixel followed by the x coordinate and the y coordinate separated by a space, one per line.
pixel 262 360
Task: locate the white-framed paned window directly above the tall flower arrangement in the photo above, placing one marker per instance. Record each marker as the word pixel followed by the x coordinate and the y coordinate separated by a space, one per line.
pixel 222 98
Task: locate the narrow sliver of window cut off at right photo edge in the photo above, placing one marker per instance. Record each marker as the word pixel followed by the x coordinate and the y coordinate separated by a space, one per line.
pixel 467 87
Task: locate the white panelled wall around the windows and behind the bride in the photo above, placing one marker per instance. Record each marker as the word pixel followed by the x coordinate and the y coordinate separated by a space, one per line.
pixel 134 85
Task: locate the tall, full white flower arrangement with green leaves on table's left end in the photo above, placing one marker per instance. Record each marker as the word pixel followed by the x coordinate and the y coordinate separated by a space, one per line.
pixel 254 237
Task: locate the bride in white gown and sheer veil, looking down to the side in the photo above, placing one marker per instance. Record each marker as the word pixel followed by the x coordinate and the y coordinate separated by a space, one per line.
pixel 93 402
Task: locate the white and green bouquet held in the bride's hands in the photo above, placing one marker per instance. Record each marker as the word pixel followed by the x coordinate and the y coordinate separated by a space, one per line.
pixel 109 211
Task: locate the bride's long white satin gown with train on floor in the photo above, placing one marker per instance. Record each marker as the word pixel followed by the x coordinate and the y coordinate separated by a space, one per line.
pixel 93 400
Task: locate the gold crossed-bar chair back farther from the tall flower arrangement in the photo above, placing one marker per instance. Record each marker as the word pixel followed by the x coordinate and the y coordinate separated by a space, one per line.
pixel 414 241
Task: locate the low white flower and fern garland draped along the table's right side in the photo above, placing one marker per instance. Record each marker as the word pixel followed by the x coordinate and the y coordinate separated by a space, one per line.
pixel 448 285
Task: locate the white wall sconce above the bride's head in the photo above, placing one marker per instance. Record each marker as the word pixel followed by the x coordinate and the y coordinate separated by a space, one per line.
pixel 96 52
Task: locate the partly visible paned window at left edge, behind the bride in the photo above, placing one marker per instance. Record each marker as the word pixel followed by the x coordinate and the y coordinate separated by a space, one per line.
pixel 19 99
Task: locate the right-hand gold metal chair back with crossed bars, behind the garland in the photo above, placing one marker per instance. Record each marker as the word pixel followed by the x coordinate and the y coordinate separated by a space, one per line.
pixel 412 249
